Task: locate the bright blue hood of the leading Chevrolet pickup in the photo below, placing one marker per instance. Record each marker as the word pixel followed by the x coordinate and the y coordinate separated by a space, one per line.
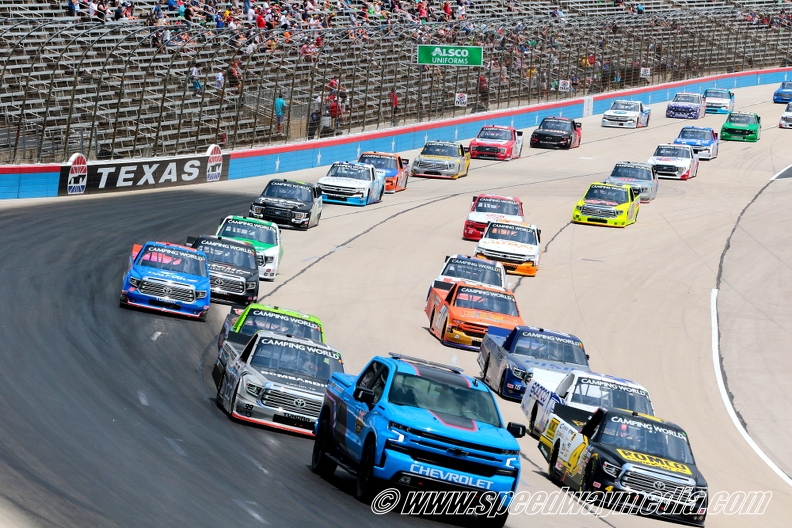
pixel 454 427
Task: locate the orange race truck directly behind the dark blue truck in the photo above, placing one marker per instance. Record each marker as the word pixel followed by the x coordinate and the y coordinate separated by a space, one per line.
pixel 461 316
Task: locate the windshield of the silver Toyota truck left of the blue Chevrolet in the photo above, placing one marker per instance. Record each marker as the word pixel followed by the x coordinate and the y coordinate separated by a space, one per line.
pixel 306 360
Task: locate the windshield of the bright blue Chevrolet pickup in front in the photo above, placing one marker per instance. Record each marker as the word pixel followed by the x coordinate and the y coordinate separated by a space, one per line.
pixel 442 398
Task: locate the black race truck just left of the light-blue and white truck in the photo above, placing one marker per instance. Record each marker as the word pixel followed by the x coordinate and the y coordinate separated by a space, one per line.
pixel 289 203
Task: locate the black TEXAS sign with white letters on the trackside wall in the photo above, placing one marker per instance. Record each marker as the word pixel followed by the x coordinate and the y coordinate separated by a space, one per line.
pixel 93 177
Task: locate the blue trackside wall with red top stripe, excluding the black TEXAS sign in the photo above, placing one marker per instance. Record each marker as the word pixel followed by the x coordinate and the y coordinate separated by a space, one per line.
pixel 38 181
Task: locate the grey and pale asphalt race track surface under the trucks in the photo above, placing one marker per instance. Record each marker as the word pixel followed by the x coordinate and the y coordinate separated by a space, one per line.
pixel 109 416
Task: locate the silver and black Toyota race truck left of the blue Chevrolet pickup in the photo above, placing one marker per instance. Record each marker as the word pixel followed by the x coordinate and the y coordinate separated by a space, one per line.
pixel 274 380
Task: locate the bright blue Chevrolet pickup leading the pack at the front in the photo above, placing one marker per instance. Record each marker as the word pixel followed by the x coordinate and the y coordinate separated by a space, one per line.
pixel 416 424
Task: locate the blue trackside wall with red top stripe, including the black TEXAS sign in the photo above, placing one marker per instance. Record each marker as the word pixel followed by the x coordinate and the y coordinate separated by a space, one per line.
pixel 80 176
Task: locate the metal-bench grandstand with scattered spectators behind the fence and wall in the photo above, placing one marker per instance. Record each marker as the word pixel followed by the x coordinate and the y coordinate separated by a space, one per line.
pixel 122 88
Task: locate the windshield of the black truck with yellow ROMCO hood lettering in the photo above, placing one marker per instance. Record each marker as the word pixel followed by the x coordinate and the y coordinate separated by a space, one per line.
pixel 647 437
